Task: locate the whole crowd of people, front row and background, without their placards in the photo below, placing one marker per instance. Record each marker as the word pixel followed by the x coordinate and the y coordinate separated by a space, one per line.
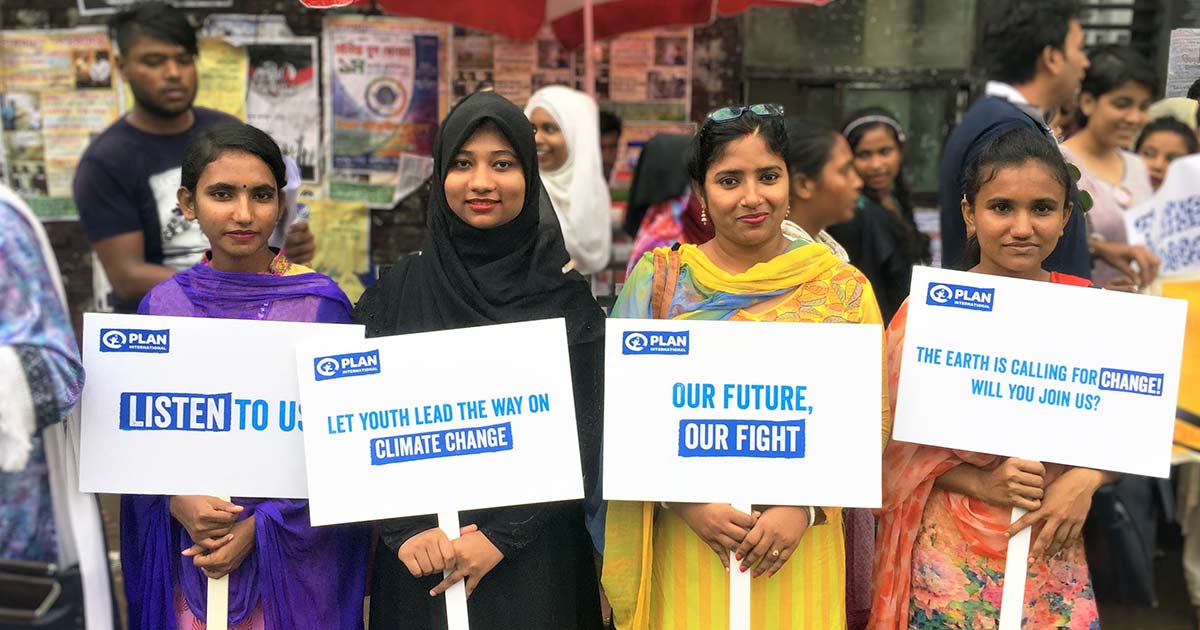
pixel 761 215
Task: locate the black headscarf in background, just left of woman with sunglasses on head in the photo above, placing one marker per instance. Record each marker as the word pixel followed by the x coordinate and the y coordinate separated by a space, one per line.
pixel 661 175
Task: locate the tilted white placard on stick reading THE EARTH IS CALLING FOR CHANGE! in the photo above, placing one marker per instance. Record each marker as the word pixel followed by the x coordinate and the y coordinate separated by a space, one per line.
pixel 1040 371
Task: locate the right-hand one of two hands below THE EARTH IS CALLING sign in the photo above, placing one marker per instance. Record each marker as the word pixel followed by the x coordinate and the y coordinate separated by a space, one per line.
pixel 1063 514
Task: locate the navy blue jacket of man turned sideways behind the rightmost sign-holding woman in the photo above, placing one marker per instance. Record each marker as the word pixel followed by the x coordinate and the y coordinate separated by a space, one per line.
pixel 986 121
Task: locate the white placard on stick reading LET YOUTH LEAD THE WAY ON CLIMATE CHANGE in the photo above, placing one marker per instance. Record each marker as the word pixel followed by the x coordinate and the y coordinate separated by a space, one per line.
pixel 489 412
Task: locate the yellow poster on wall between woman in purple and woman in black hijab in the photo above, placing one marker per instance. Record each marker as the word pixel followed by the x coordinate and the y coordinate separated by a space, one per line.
pixel 343 231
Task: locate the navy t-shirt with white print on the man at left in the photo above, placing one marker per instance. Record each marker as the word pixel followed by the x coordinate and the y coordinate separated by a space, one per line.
pixel 127 182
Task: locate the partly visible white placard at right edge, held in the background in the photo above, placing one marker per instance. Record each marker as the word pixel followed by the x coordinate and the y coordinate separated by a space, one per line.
pixel 1169 223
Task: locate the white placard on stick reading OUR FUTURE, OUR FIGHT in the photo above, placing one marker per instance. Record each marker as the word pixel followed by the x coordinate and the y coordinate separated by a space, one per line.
pixel 743 413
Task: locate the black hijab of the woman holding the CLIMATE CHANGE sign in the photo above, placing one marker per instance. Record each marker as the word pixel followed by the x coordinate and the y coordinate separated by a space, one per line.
pixel 467 277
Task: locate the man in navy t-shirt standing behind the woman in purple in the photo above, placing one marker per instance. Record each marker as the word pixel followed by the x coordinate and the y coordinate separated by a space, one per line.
pixel 127 181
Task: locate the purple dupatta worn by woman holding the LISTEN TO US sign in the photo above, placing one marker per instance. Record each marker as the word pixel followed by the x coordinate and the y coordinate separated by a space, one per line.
pixel 304 578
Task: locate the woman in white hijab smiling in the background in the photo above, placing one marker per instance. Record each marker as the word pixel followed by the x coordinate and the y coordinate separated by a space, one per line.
pixel 568 134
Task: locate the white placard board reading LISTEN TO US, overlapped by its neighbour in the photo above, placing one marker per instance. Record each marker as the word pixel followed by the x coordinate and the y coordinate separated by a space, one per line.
pixel 181 405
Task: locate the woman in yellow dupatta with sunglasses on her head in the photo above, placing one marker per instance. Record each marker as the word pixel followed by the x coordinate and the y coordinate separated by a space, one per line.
pixel 664 566
